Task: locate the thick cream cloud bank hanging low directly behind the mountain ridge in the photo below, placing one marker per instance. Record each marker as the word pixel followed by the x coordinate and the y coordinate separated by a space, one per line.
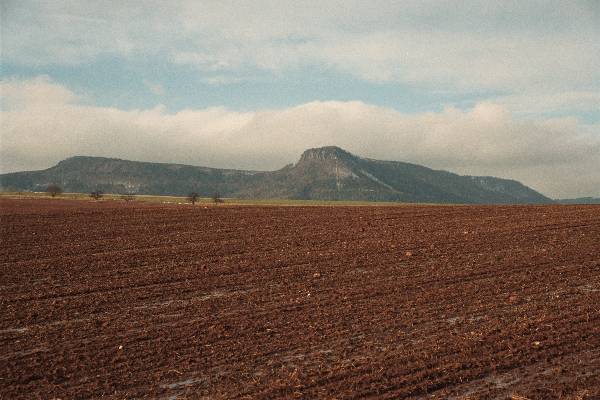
pixel 43 123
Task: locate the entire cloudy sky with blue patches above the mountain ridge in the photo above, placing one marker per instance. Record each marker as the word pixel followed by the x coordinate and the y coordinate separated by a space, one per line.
pixel 509 89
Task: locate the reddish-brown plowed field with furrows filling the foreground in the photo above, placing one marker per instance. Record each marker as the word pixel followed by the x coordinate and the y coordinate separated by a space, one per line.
pixel 128 300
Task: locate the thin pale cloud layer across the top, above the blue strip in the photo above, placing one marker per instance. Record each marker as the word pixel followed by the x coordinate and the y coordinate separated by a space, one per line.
pixel 525 51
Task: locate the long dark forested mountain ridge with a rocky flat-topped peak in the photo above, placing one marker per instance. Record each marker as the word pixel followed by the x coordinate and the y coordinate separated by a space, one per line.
pixel 326 173
